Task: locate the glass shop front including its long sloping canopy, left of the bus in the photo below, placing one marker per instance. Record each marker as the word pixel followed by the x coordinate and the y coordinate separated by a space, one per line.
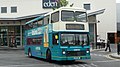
pixel 12 30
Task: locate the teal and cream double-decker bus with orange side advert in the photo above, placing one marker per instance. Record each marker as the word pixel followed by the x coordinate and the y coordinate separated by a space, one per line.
pixel 61 35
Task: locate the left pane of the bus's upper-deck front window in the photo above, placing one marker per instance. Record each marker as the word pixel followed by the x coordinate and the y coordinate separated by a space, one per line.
pixel 67 15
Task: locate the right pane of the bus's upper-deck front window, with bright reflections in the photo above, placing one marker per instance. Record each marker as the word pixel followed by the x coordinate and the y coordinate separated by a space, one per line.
pixel 80 16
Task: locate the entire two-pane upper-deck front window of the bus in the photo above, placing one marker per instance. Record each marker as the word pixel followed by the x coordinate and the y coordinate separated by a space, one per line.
pixel 73 16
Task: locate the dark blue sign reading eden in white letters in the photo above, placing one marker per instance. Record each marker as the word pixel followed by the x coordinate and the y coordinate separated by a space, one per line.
pixel 50 3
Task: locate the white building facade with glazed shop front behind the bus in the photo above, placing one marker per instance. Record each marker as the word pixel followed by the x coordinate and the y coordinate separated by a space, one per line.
pixel 14 14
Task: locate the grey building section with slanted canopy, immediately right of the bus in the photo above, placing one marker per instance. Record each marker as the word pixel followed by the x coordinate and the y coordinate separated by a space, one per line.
pixel 93 21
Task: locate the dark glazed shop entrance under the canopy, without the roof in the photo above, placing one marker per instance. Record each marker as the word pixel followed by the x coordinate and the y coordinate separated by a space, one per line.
pixel 10 35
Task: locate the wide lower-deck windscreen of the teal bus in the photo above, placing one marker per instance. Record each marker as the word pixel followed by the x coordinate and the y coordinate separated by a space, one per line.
pixel 74 39
